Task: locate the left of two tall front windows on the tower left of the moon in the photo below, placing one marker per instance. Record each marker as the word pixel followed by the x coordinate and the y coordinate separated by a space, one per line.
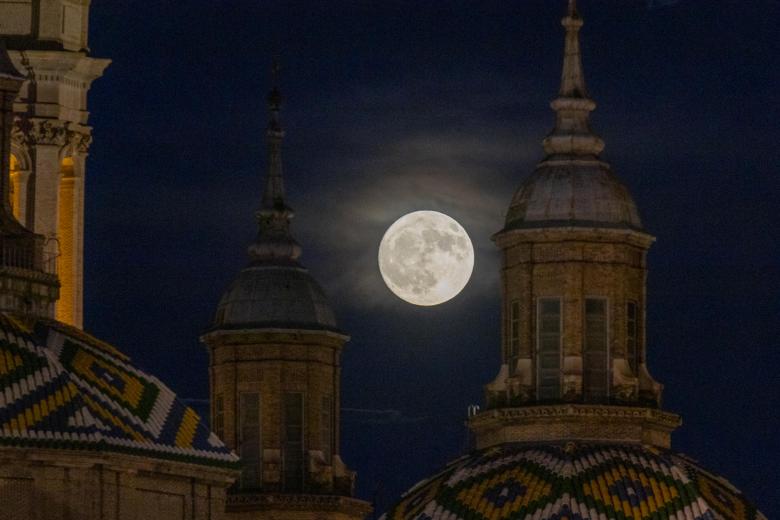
pixel 249 440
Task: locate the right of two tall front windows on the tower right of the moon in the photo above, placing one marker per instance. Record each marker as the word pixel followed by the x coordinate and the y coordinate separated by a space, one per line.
pixel 595 358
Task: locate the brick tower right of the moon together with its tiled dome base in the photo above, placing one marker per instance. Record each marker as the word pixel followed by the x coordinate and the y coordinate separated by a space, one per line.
pixel 572 427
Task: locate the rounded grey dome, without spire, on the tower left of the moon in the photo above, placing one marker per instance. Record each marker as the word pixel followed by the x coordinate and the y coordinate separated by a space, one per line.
pixel 274 296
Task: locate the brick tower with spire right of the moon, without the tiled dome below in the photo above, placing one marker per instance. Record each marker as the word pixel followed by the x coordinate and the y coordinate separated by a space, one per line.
pixel 573 286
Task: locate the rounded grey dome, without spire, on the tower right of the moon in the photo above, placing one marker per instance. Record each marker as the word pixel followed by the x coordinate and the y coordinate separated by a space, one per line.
pixel 573 193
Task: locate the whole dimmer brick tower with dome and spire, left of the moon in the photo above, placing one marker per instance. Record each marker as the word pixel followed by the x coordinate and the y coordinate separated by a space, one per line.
pixel 274 350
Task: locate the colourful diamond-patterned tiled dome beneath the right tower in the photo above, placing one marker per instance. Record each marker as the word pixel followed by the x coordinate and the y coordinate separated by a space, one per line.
pixel 573 482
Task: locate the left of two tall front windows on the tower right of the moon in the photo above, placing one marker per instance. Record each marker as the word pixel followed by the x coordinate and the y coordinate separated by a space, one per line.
pixel 549 350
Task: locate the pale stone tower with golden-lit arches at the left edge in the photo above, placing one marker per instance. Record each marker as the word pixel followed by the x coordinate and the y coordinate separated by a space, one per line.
pixel 47 42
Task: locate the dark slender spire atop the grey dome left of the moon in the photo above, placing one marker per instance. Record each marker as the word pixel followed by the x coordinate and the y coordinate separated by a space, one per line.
pixel 274 243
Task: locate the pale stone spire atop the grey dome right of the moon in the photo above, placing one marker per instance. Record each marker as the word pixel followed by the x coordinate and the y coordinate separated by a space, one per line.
pixel 572 136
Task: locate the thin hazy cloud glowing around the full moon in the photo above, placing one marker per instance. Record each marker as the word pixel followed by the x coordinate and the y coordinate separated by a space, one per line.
pixel 465 177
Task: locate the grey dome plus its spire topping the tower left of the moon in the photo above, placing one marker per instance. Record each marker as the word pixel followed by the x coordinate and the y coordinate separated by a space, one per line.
pixel 274 290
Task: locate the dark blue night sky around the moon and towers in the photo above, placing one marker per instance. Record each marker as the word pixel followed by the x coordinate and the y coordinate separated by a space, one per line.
pixel 398 106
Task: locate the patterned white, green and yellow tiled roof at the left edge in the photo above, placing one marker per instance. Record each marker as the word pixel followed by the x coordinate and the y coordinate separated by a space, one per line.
pixel 61 387
